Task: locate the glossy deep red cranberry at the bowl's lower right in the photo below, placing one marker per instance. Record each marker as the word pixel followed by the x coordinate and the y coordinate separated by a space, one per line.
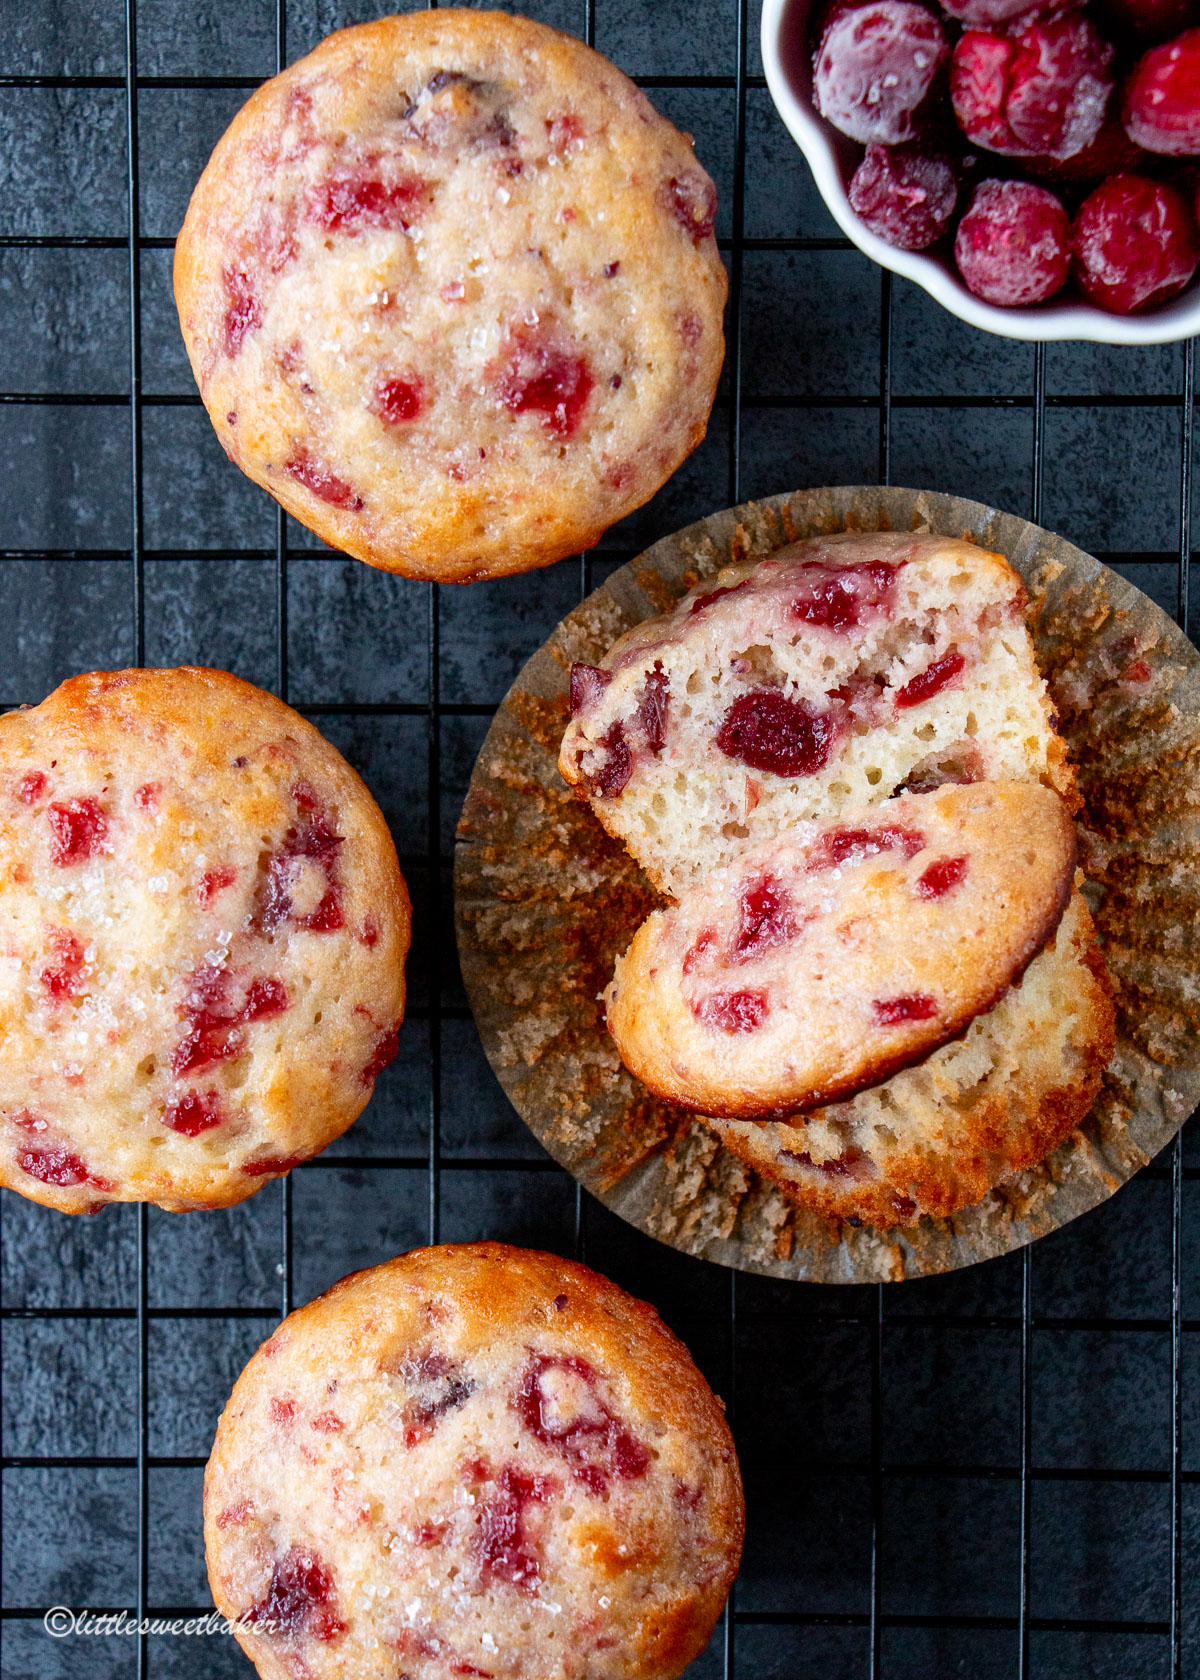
pixel 1135 244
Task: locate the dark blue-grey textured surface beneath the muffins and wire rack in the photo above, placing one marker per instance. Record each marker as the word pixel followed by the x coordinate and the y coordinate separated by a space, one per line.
pixel 880 1429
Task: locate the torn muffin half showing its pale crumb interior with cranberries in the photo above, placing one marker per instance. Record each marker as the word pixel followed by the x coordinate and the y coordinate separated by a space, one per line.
pixel 834 673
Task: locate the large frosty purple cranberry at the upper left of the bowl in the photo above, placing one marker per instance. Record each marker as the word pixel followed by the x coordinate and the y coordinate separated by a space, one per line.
pixel 876 66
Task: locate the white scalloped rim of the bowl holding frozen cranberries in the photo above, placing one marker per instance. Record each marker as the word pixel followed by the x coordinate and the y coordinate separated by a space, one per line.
pixel 833 159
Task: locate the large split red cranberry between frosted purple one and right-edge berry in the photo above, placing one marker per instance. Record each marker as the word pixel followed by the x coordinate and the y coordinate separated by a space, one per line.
pixel 1038 93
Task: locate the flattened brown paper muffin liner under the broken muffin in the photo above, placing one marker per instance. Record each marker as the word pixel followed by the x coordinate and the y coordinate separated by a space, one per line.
pixel 545 901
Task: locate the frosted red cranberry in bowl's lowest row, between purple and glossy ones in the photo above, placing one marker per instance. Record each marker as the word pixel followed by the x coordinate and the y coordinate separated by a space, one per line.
pixel 1014 244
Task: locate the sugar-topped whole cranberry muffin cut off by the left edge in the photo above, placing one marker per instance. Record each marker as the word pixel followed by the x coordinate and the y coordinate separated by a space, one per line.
pixel 203 942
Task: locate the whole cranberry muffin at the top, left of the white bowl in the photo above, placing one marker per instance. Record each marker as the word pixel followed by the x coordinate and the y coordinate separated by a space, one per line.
pixel 451 293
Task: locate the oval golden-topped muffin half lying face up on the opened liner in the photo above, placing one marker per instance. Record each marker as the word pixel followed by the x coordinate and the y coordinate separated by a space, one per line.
pixel 831 958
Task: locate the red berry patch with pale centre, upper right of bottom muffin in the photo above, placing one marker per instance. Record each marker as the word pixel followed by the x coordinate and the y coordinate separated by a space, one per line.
pixel 561 1404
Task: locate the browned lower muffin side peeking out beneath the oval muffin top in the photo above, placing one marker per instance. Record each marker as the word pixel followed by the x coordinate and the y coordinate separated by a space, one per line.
pixel 992 1103
